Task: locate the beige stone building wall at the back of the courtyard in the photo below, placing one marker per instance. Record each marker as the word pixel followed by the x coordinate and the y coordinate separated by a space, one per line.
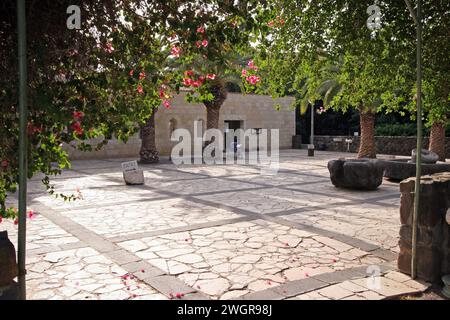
pixel 248 111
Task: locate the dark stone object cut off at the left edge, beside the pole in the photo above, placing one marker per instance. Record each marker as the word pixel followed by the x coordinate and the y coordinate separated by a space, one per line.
pixel 8 266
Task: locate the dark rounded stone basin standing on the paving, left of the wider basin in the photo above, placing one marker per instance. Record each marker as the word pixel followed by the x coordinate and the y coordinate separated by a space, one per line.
pixel 360 174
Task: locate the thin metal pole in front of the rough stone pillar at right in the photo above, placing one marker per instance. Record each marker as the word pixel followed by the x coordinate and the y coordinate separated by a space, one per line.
pixel 419 141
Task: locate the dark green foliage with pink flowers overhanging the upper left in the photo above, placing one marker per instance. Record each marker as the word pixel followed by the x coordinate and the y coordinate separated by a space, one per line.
pixel 103 80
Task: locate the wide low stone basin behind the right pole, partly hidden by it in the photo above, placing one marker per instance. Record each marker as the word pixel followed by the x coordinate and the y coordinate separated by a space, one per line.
pixel 401 169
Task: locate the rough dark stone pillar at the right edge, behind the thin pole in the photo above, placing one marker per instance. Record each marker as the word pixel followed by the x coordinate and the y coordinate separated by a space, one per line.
pixel 433 236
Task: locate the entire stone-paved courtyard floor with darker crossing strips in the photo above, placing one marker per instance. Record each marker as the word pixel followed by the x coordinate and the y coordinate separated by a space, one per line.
pixel 213 232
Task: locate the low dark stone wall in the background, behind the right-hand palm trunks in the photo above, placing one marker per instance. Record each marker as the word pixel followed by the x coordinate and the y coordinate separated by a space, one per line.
pixel 401 146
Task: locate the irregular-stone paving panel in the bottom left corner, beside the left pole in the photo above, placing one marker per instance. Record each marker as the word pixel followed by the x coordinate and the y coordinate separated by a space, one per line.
pixel 82 274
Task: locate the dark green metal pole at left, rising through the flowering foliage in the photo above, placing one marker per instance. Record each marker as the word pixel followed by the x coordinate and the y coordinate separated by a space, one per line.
pixel 23 145
